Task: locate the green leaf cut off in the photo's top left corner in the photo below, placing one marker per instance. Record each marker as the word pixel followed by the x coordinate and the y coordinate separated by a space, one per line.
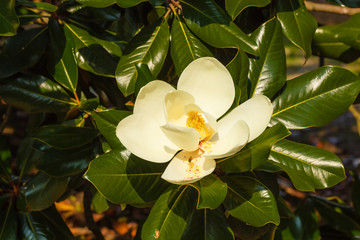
pixel 9 22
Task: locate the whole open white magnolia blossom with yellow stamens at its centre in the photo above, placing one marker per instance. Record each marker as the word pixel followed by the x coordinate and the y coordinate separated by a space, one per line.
pixel 183 125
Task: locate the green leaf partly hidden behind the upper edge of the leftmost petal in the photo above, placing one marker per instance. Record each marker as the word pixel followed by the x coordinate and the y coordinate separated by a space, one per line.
pixel 106 123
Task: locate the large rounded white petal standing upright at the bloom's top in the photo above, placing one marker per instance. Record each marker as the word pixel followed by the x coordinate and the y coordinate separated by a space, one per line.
pixel 210 83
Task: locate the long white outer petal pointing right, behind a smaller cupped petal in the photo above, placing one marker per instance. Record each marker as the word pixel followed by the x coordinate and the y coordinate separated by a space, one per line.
pixel 256 112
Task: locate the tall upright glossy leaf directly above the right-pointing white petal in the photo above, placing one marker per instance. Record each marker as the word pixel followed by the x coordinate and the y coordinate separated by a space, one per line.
pixel 267 73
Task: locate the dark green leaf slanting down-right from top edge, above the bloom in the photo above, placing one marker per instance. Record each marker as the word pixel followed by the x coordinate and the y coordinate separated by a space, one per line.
pixel 209 22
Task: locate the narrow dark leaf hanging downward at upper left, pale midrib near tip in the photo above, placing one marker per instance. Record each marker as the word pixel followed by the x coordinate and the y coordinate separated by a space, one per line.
pixel 61 61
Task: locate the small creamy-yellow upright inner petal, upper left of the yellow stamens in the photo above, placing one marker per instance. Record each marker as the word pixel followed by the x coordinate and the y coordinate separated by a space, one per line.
pixel 174 104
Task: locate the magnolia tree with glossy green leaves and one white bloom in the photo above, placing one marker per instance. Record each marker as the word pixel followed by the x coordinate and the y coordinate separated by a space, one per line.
pixel 182 106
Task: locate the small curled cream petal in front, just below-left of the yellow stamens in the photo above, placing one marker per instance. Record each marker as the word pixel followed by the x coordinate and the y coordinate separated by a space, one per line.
pixel 184 137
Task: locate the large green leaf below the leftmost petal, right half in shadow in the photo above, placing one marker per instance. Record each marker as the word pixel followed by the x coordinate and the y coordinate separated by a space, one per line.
pixel 123 178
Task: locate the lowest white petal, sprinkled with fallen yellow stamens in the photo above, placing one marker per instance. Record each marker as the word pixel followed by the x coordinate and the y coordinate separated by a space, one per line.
pixel 181 171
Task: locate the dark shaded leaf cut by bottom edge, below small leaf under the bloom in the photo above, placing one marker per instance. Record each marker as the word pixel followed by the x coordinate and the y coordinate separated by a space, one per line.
pixel 207 224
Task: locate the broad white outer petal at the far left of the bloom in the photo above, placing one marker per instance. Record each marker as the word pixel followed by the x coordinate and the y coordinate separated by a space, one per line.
pixel 142 136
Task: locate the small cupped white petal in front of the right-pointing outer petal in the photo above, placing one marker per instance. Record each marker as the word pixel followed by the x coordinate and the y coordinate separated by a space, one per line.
pixel 229 144
